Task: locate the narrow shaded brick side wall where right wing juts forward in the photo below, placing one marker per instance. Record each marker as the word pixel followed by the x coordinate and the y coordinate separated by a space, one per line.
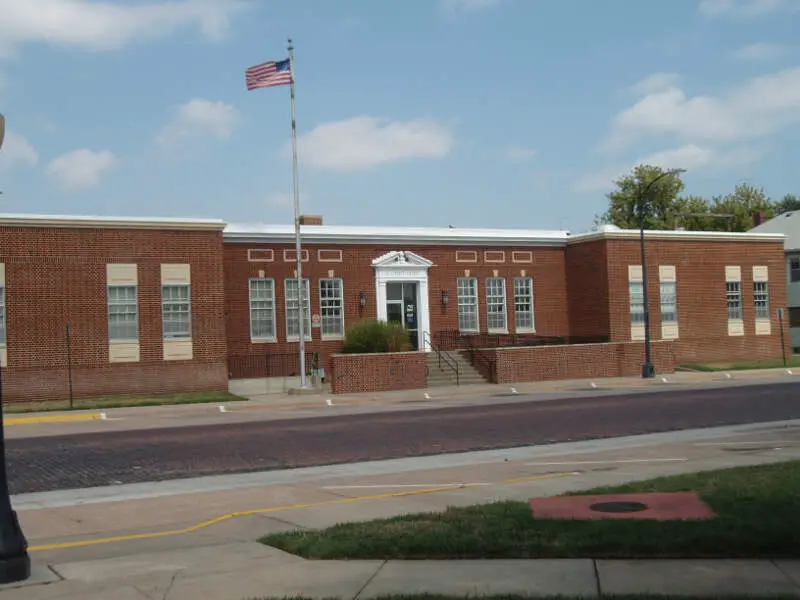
pixel 588 291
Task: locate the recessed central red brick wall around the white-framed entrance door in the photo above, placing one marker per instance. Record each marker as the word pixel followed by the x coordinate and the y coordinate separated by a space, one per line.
pixel 547 271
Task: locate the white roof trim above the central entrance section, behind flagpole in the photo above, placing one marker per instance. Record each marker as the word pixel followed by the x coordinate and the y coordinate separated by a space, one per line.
pixel 395 235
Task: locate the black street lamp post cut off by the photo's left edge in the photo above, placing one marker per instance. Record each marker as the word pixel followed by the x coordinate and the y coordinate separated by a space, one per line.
pixel 15 565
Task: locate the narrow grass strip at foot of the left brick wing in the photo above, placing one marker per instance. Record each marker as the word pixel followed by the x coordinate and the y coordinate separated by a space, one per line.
pixel 122 401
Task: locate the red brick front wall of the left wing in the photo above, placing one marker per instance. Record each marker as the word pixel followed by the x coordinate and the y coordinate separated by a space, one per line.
pixel 57 276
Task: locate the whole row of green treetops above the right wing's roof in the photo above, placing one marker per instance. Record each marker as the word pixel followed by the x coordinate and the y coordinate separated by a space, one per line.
pixel 647 191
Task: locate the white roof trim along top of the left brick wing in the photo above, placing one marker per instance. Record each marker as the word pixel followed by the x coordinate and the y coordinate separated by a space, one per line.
pixel 83 222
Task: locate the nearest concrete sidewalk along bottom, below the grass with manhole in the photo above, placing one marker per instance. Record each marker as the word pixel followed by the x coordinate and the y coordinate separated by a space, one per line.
pixel 248 570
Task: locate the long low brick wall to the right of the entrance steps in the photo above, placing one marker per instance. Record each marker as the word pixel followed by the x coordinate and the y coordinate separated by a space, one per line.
pixel 579 361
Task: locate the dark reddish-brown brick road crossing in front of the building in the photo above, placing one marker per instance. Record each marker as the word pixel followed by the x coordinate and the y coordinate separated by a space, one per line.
pixel 99 459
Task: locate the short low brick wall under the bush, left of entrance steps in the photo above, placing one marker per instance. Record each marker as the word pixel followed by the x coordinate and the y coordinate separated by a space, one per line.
pixel 354 373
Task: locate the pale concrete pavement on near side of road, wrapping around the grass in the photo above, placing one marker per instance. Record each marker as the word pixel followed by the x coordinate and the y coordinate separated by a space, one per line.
pixel 196 541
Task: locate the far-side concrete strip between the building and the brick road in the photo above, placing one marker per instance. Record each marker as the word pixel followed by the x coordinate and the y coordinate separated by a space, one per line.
pixel 323 404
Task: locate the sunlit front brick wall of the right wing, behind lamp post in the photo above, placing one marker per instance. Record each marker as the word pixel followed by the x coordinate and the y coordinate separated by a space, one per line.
pixel 702 304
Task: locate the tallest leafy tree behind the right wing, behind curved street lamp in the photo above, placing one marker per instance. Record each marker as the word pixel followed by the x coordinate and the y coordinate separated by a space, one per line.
pixel 661 205
